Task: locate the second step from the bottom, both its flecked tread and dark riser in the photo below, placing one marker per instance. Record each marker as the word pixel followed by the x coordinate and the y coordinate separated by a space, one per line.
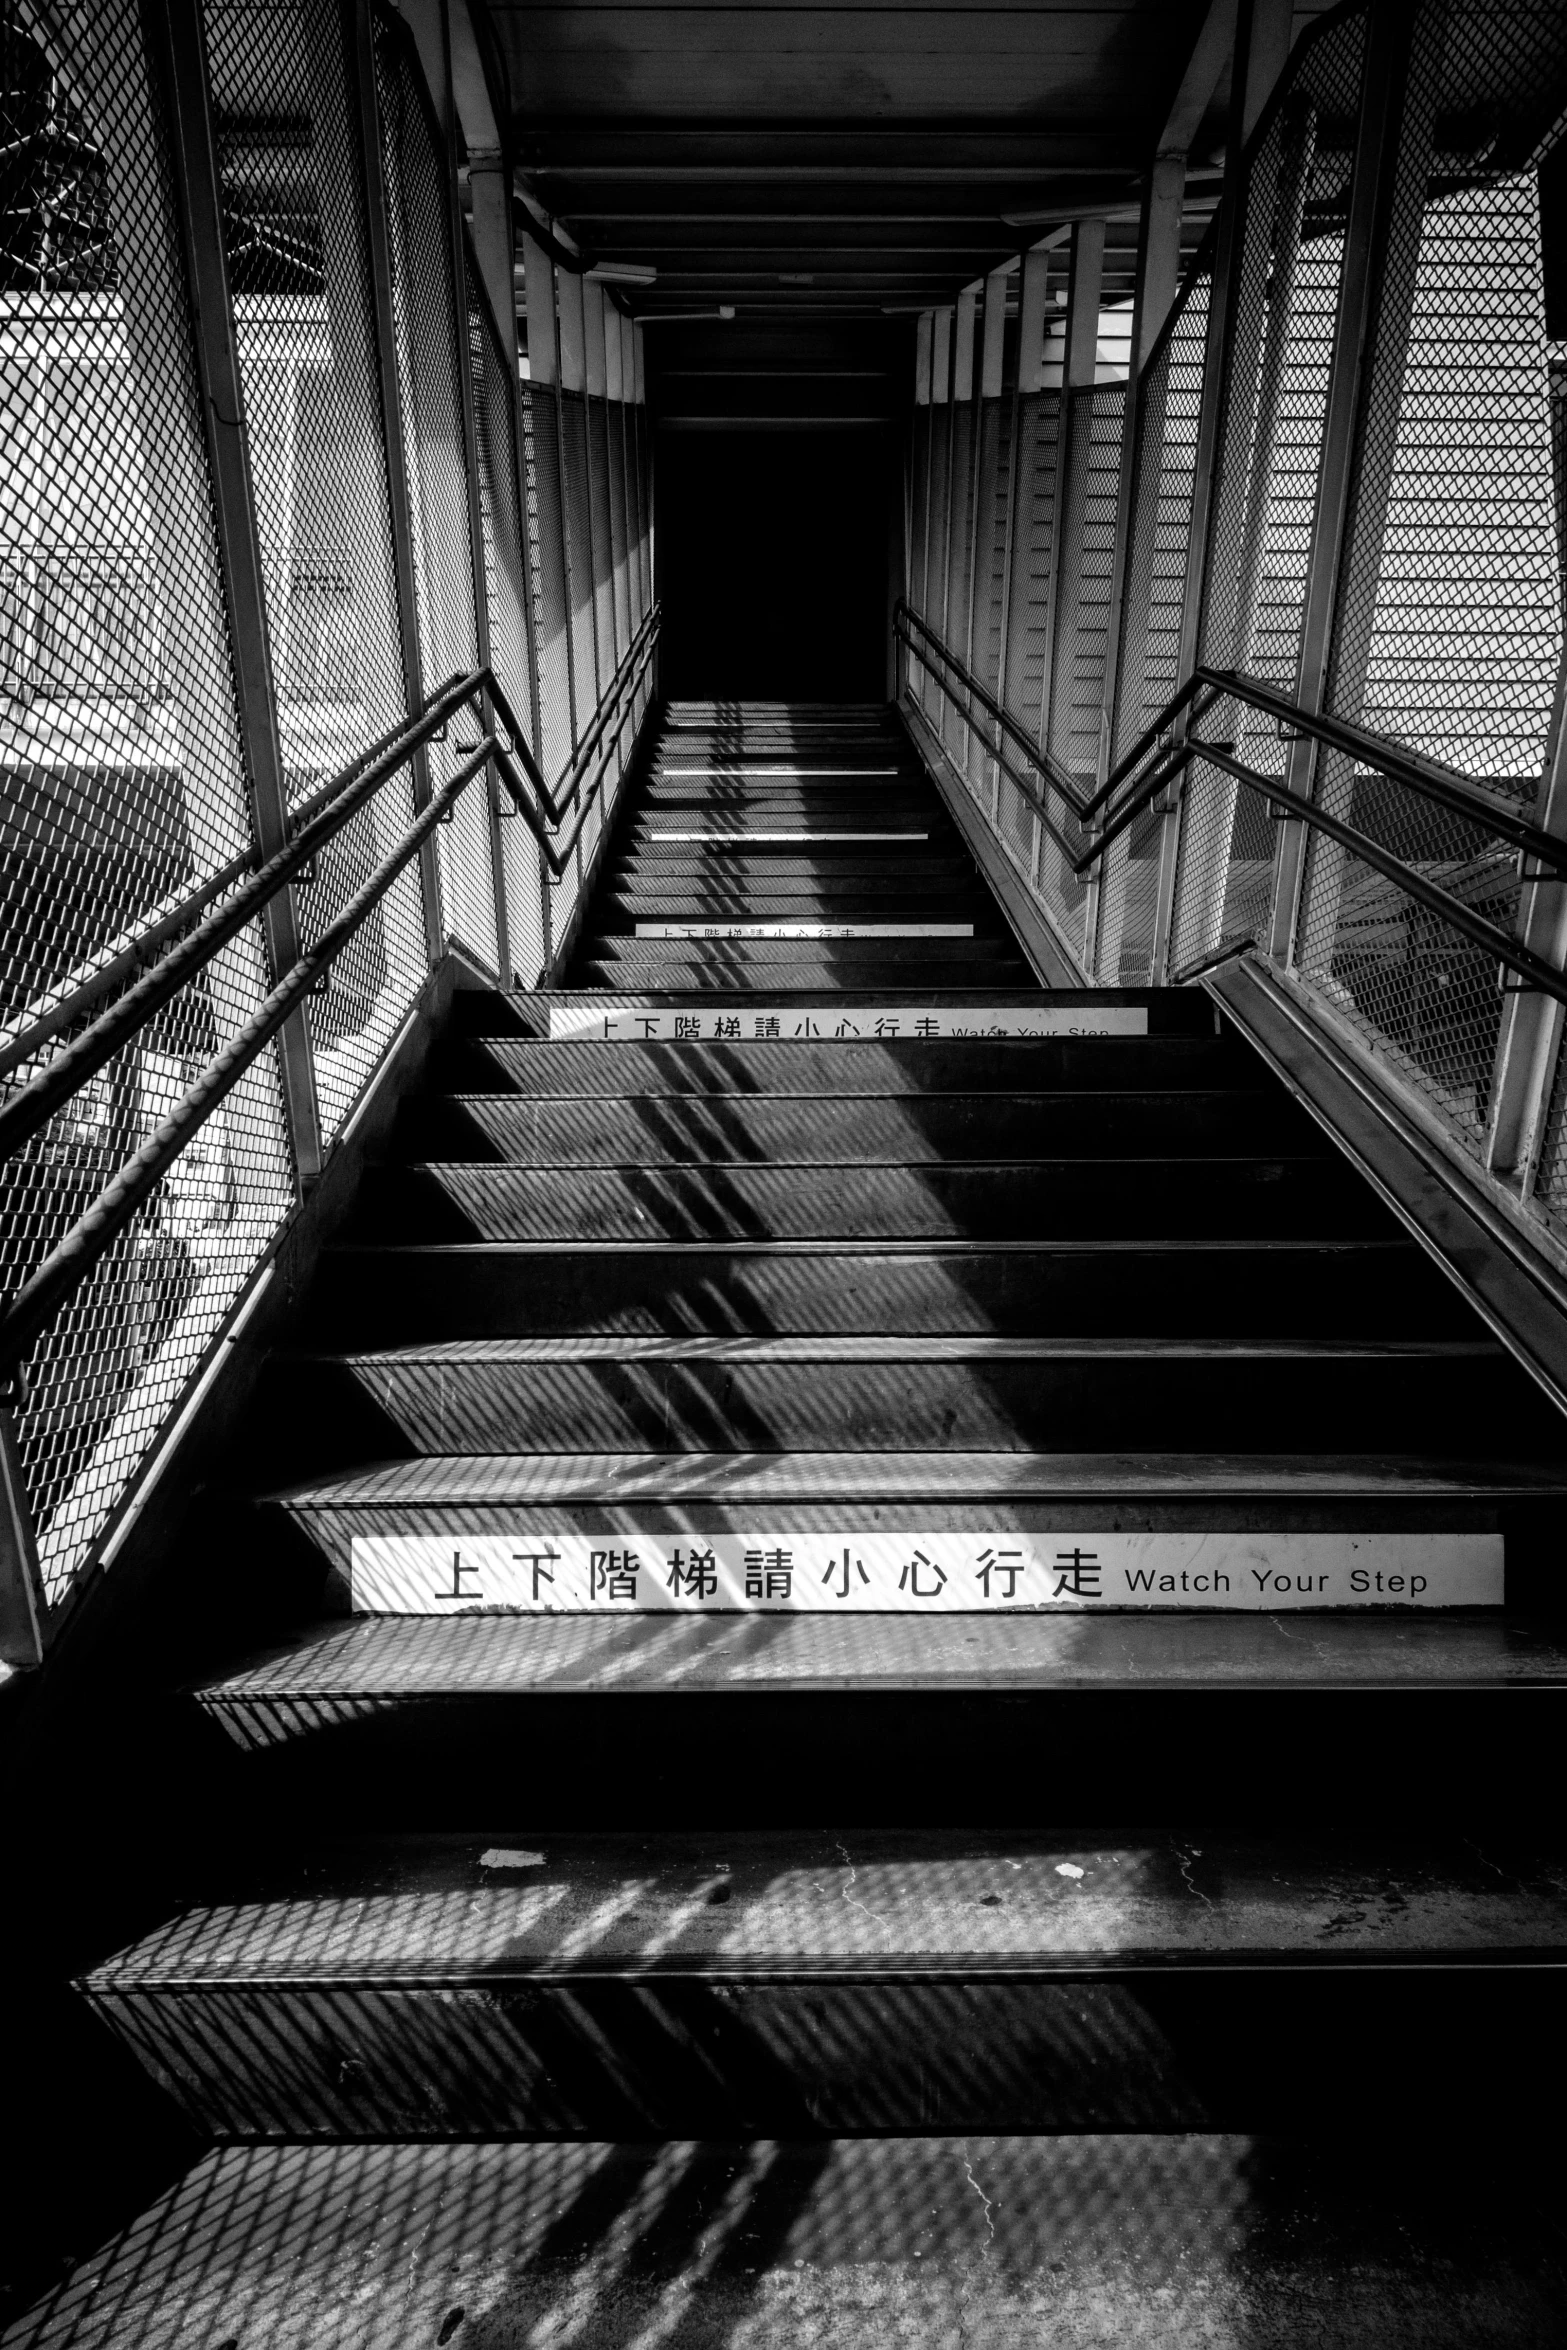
pixel 520 1982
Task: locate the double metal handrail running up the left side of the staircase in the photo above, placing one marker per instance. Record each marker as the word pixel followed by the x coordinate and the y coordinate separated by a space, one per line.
pixel 36 1303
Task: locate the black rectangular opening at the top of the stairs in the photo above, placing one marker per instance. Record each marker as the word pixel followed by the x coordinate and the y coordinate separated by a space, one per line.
pixel 774 565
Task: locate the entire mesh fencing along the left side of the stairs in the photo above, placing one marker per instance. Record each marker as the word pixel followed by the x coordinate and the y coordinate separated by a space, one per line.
pixel 396 513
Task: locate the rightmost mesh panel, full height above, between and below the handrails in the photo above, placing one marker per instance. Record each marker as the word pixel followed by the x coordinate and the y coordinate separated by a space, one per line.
pixel 1448 629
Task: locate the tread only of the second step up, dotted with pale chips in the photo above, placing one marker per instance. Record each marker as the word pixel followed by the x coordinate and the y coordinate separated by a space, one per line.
pixel 868 1905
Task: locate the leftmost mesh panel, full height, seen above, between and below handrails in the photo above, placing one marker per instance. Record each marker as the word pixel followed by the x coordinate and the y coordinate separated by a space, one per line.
pixel 123 779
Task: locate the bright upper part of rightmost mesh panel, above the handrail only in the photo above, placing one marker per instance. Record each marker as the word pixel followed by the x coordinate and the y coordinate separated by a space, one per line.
pixel 1448 631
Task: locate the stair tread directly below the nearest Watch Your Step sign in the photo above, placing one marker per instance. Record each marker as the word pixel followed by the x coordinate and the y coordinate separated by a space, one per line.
pixel 495 1656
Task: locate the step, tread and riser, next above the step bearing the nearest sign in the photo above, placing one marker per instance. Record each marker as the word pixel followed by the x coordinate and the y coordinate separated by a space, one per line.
pixel 929 1395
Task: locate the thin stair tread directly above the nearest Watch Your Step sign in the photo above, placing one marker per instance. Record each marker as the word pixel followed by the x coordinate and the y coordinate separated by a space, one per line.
pixel 542 1479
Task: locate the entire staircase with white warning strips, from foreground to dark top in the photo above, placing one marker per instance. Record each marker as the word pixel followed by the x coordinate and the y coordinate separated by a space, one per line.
pixel 840 1923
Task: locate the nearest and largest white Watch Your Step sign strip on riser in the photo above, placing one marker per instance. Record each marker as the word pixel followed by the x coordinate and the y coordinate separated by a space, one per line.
pixel 910 1573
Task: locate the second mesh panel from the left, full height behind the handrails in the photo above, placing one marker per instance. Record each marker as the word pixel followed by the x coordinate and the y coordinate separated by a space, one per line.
pixel 307 342
